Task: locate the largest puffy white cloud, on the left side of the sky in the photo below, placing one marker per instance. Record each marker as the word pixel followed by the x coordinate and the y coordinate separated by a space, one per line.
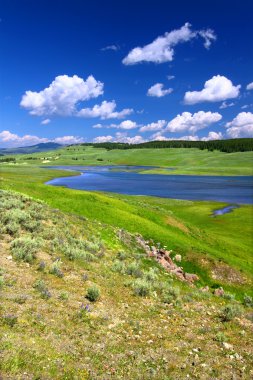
pixel 62 96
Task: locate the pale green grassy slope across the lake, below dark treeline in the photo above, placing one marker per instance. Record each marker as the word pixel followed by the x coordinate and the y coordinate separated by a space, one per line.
pixel 183 161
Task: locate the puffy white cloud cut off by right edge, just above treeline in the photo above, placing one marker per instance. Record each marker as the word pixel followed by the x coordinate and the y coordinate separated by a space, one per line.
pixel 241 126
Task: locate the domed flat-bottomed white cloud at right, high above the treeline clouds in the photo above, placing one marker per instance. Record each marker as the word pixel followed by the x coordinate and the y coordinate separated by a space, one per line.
pixel 216 89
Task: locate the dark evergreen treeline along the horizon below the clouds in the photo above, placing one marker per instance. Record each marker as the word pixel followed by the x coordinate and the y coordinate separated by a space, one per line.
pixel 228 146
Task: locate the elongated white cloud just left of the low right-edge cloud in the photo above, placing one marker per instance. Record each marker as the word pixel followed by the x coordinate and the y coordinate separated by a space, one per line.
pixel 192 122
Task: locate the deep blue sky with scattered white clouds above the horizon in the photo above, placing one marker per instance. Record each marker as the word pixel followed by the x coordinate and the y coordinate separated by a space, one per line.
pixel 76 71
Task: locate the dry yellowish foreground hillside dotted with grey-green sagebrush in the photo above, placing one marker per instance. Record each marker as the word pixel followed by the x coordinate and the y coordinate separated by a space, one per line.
pixel 81 300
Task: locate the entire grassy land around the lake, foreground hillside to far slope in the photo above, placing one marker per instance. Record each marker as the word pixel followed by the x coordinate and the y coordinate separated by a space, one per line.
pixel 145 323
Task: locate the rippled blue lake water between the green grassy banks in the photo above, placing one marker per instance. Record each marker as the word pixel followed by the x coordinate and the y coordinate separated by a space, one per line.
pixel 127 180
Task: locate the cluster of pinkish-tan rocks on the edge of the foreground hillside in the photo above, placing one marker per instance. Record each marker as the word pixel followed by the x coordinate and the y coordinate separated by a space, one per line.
pixel 163 257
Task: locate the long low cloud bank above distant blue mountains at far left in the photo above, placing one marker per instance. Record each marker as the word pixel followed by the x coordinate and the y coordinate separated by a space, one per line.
pixel 8 139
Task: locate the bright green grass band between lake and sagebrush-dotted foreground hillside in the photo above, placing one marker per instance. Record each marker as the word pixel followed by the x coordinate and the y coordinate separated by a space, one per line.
pixel 209 246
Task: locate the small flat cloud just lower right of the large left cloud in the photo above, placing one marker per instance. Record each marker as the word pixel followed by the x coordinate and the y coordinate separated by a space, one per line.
pixel 105 110
